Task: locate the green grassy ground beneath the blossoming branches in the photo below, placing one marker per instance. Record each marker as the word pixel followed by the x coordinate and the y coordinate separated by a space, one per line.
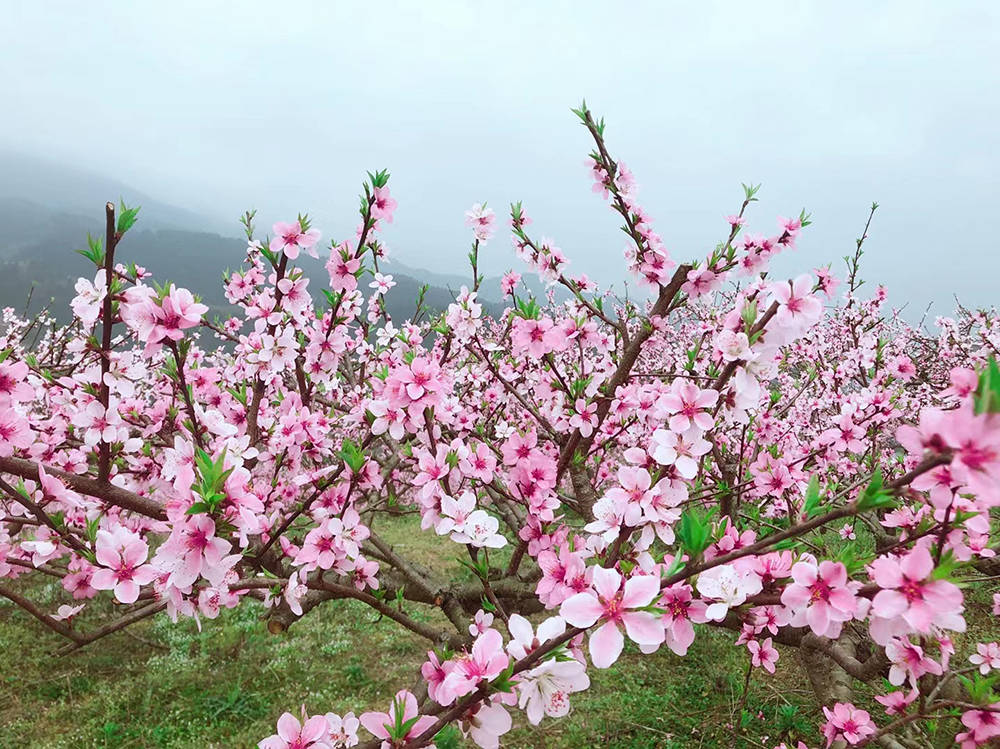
pixel 166 685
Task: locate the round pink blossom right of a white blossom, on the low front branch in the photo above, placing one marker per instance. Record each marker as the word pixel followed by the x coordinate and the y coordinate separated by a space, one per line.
pixel 823 594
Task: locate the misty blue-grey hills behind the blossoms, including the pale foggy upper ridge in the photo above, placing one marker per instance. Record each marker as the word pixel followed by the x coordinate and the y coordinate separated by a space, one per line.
pixel 48 210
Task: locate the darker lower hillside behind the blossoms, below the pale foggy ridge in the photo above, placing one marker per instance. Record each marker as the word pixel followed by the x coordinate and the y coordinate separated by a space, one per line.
pixel 36 253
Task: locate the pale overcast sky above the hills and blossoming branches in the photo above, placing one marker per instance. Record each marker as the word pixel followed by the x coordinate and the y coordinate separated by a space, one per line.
pixel 283 106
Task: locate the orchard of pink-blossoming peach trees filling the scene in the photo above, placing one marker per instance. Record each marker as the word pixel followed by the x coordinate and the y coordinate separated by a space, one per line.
pixel 765 456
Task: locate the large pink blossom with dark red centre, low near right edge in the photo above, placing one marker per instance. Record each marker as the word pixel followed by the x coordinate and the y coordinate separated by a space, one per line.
pixel 909 594
